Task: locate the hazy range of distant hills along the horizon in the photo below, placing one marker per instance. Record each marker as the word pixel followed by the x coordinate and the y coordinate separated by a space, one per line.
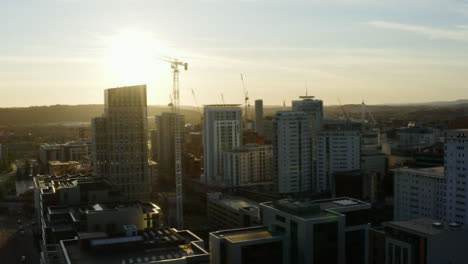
pixel 84 113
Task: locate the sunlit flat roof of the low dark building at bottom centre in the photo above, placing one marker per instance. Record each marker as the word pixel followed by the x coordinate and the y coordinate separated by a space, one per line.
pixel 246 234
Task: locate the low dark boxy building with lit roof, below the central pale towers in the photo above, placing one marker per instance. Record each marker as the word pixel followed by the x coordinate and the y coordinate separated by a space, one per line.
pixel 226 212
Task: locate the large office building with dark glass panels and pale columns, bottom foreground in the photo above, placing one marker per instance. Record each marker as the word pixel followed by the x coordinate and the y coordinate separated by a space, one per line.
pixel 321 231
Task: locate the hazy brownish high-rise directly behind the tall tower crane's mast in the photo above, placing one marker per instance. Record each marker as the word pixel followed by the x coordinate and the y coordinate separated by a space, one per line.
pixel 165 143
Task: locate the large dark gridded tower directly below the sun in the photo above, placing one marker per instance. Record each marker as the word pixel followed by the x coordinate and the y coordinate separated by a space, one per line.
pixel 120 141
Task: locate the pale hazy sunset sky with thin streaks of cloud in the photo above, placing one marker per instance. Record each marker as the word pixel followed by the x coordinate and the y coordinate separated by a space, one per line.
pixel 69 51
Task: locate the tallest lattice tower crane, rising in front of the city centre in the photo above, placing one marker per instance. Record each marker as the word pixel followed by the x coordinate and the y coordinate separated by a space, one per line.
pixel 175 105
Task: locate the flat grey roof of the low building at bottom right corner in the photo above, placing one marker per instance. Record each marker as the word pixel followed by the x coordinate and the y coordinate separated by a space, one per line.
pixel 423 226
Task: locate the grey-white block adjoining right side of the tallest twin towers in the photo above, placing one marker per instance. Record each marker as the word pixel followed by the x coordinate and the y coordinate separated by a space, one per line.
pixel 337 151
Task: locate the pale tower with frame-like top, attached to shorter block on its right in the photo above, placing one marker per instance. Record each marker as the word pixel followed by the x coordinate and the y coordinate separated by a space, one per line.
pixel 222 131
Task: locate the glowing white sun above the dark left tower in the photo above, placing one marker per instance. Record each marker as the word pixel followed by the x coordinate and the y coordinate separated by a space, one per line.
pixel 133 57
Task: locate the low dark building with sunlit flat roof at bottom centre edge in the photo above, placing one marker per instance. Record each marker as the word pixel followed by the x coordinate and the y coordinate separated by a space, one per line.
pixel 246 246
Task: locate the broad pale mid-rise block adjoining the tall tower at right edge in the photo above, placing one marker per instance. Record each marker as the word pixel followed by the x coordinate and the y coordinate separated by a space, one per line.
pixel 419 193
